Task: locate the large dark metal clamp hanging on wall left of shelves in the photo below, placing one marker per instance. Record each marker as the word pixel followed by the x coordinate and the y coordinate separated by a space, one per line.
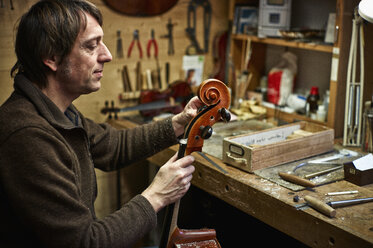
pixel 195 48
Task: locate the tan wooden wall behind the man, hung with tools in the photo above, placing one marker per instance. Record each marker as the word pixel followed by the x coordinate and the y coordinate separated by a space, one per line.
pixel 90 105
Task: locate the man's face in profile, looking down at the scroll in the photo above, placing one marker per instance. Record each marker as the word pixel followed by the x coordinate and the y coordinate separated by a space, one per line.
pixel 80 72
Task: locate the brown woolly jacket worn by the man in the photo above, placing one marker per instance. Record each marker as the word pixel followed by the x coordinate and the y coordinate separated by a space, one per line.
pixel 47 178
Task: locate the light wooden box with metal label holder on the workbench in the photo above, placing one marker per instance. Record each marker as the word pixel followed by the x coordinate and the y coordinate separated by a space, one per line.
pixel 277 145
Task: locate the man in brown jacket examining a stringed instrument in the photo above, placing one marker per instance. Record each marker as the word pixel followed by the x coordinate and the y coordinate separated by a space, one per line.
pixel 48 150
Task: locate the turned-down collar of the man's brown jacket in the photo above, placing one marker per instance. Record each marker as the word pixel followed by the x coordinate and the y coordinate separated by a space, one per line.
pixel 46 108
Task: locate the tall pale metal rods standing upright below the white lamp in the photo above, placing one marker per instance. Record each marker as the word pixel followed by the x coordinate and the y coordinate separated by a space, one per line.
pixel 354 89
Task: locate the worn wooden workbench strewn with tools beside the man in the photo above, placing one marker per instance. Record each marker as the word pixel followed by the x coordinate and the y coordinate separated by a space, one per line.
pixel 273 204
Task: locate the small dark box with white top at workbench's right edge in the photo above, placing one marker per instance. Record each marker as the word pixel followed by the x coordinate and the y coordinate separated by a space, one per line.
pixel 360 171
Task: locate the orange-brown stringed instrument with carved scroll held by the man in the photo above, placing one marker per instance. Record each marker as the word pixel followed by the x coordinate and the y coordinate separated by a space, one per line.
pixel 216 97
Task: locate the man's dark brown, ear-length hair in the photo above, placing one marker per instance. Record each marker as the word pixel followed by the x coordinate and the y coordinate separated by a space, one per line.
pixel 49 29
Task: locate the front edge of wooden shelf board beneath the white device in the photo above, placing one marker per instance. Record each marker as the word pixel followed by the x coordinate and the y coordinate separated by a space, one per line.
pixel 287 43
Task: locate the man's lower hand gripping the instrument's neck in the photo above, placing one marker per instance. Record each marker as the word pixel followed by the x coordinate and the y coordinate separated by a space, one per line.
pixel 171 182
